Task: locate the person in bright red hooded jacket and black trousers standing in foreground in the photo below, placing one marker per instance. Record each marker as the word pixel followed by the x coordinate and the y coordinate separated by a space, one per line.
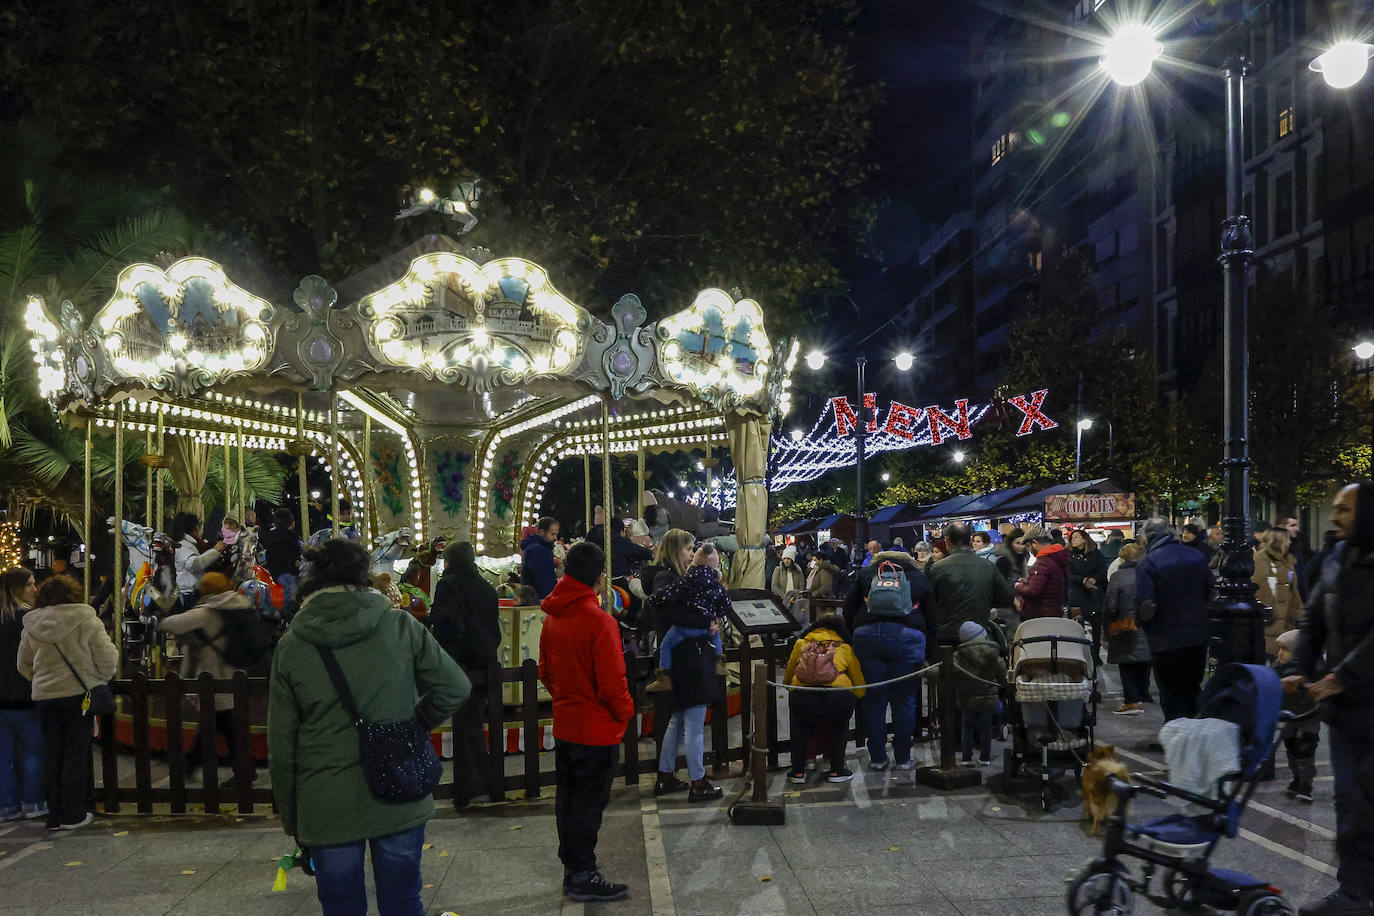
pixel 583 668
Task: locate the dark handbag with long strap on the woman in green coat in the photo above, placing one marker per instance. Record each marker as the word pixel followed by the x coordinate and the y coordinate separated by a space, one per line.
pixel 398 759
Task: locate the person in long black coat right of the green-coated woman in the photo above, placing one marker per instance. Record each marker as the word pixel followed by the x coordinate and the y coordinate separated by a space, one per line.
pixel 466 623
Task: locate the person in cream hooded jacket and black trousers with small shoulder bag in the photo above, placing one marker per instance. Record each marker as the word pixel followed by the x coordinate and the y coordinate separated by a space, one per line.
pixel 65 652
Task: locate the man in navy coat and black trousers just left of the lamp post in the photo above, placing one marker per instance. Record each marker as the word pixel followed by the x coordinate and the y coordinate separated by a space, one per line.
pixel 1173 588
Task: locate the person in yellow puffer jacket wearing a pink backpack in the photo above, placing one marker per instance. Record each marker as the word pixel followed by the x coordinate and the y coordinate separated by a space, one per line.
pixel 822 657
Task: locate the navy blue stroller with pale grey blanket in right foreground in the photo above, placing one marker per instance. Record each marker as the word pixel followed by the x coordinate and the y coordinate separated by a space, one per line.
pixel 1250 697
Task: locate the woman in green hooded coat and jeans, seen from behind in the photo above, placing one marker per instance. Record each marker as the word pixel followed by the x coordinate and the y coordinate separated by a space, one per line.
pixel 395 671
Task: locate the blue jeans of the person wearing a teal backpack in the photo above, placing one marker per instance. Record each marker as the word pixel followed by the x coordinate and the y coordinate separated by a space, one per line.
pixel 886 652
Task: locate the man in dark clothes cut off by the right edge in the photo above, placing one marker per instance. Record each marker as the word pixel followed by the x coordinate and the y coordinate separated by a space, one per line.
pixel 1336 659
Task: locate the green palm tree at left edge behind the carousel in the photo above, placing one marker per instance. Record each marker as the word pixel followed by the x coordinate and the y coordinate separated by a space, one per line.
pixel 67 237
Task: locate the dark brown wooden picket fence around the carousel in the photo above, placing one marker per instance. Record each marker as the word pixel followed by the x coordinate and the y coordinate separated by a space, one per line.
pixel 144 701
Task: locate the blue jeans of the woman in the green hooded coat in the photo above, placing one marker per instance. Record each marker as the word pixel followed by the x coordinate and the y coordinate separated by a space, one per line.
pixel 396 867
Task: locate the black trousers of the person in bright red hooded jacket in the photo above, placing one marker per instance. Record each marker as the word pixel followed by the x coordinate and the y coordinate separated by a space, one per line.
pixel 585 774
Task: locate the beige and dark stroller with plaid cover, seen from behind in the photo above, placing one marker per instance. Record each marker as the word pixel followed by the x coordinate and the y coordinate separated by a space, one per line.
pixel 1053 709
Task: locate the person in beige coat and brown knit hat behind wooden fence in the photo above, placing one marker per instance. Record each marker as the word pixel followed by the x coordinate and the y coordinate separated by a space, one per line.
pixel 201 634
